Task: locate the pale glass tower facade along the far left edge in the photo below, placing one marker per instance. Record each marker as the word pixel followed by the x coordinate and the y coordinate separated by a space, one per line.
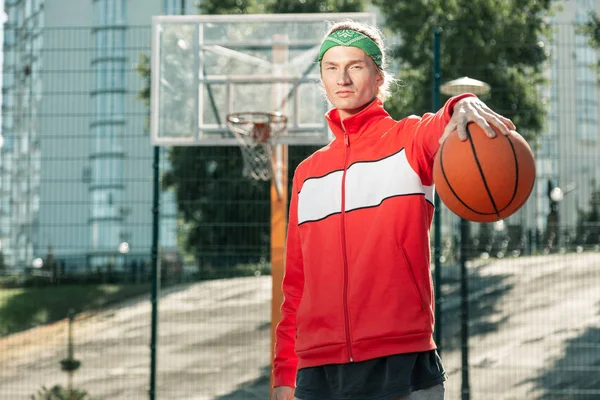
pixel 20 167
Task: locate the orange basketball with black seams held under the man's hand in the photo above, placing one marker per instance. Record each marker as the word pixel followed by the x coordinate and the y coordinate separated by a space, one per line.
pixel 483 179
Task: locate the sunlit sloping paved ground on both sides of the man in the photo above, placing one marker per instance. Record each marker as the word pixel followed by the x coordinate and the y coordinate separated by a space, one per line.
pixel 535 334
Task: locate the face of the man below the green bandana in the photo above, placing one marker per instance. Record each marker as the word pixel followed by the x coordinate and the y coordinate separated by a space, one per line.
pixel 351 79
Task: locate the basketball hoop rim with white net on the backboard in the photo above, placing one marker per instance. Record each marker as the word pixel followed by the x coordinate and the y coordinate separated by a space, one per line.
pixel 257 134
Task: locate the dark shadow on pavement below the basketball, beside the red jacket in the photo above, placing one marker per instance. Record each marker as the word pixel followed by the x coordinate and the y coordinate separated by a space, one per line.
pixel 485 294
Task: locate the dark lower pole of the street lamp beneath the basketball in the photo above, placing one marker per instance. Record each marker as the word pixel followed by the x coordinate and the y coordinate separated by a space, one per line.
pixel 464 309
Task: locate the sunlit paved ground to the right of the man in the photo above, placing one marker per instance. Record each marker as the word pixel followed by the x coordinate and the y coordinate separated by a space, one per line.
pixel 536 330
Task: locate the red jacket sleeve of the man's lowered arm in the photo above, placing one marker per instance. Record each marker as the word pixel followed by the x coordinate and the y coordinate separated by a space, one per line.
pixel 286 360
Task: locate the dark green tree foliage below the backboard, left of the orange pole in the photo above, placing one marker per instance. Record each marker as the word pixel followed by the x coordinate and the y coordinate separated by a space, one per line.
pixel 211 190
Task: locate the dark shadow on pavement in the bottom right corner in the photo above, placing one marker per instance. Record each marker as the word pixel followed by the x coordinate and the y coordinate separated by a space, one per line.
pixel 575 376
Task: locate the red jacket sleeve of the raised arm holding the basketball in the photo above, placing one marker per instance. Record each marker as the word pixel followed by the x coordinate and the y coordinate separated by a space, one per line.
pixel 425 133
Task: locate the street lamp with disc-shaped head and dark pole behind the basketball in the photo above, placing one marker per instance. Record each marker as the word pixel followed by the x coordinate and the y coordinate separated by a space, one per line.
pixel 454 88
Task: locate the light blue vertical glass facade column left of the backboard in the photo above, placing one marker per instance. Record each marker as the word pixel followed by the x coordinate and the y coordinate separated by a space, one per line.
pixel 107 129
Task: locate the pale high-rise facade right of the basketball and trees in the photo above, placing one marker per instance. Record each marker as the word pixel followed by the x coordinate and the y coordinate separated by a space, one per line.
pixel 567 155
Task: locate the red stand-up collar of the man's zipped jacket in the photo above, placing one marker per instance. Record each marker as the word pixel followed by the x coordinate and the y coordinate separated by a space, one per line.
pixel 357 123
